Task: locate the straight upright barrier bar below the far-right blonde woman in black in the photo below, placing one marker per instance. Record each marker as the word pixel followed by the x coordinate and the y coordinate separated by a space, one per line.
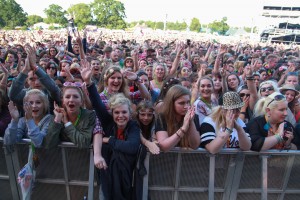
pixel 264 177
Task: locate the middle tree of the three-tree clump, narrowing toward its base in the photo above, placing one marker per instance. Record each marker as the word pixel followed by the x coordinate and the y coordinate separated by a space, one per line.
pixel 81 14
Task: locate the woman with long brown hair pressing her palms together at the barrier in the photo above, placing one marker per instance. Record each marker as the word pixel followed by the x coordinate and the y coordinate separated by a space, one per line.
pixel 176 124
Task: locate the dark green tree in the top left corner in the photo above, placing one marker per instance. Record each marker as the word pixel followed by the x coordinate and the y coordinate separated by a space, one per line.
pixel 11 14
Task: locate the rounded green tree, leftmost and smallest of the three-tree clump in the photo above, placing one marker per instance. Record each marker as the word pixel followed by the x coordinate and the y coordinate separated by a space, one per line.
pixel 55 14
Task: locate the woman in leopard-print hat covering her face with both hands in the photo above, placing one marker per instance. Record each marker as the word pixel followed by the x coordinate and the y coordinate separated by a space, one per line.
pixel 223 128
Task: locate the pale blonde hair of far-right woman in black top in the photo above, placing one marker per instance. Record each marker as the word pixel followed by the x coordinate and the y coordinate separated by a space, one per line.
pixel 263 103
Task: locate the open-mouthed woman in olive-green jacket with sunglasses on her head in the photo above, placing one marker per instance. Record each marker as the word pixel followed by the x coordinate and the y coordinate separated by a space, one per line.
pixel 72 122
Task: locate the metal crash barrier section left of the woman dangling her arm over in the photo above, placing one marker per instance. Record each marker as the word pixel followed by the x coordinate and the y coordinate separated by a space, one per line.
pixel 64 173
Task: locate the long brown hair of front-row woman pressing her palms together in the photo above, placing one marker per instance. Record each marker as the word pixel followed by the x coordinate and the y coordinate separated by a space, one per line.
pixel 169 113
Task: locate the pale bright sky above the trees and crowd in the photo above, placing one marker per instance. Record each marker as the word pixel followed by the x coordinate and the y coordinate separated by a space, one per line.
pixel 238 12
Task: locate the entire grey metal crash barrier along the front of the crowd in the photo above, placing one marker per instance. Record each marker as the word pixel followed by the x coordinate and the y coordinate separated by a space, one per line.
pixel 68 173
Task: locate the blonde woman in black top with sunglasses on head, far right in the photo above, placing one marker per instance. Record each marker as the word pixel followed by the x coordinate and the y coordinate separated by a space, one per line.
pixel 269 129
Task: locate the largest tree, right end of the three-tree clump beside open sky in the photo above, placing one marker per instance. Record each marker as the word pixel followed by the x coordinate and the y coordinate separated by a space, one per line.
pixel 109 13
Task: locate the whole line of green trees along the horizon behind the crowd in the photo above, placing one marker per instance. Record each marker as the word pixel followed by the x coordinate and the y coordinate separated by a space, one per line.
pixel 102 13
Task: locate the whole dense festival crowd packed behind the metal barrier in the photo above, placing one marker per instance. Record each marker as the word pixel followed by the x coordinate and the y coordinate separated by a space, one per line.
pixel 126 97
